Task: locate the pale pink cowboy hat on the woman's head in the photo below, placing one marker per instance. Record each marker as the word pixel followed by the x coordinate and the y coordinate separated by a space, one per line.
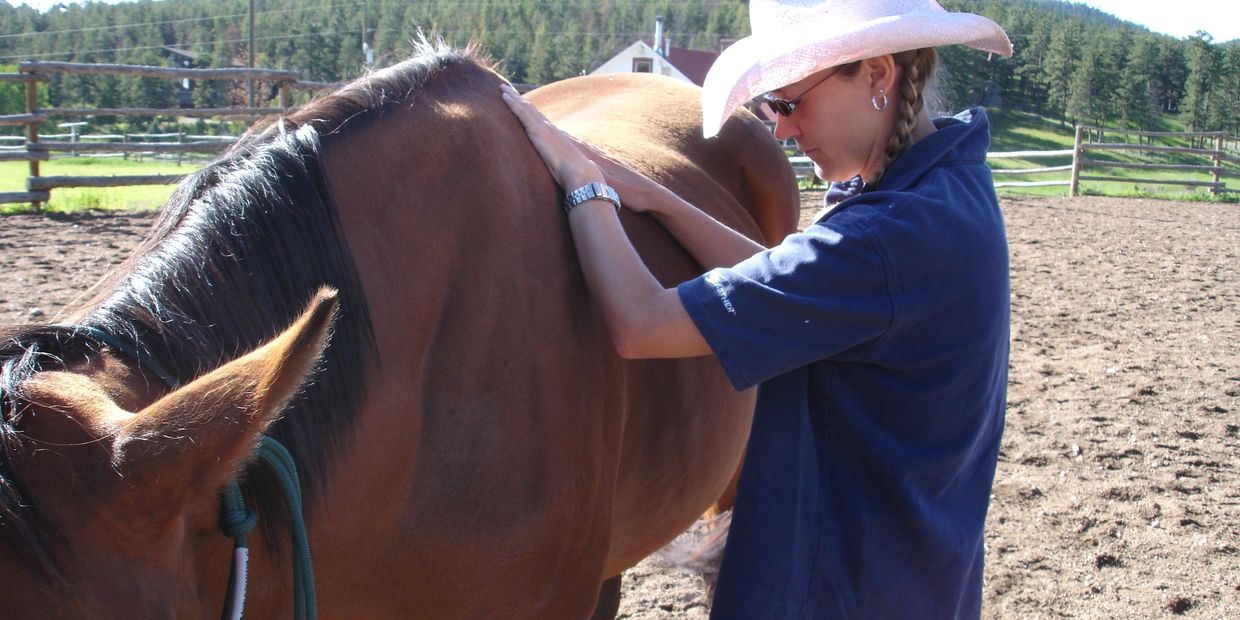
pixel 795 39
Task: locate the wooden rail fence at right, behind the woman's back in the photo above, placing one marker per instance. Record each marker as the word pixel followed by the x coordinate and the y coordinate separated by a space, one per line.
pixel 1091 139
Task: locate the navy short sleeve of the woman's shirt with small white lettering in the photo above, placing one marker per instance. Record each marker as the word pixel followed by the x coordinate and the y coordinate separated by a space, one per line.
pixel 821 294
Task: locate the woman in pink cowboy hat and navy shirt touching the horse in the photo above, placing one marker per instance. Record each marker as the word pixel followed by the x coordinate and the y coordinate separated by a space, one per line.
pixel 880 335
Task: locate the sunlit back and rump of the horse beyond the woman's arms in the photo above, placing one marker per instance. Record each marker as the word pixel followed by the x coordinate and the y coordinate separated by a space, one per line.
pixel 653 125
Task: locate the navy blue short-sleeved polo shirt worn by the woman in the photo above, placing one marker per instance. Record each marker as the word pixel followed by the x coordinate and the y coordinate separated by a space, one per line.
pixel 880 340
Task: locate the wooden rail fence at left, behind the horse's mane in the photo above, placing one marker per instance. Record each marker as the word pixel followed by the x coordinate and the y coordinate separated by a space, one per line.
pixel 37 149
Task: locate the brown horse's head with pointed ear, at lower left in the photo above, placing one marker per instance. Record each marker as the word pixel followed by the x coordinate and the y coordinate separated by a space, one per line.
pixel 117 507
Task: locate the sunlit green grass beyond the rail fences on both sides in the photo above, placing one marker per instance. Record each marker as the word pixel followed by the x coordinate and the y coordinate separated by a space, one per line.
pixel 1011 132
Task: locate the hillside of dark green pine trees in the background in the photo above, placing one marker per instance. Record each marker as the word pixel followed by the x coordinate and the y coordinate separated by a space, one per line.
pixel 1072 64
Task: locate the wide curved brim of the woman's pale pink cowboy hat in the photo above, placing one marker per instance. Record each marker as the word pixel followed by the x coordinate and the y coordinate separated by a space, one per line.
pixel 764 63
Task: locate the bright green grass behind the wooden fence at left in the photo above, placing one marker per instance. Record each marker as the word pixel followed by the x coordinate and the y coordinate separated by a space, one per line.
pixel 13 179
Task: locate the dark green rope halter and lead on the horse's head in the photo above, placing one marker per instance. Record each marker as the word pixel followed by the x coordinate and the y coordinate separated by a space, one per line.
pixel 236 520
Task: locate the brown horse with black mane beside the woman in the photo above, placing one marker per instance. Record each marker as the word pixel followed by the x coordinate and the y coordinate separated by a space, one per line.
pixel 472 446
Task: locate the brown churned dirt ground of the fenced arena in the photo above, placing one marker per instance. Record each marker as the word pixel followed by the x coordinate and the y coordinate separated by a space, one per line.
pixel 1118 492
